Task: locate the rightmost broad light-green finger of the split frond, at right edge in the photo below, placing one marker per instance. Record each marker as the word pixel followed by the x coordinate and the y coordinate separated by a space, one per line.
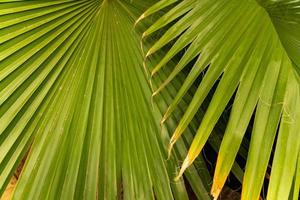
pixel 285 161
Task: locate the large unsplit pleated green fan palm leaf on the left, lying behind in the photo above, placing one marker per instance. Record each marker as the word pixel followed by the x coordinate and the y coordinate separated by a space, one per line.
pixel 75 101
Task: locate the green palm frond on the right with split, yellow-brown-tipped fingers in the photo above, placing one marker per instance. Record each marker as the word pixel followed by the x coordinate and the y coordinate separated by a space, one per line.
pixel 248 51
